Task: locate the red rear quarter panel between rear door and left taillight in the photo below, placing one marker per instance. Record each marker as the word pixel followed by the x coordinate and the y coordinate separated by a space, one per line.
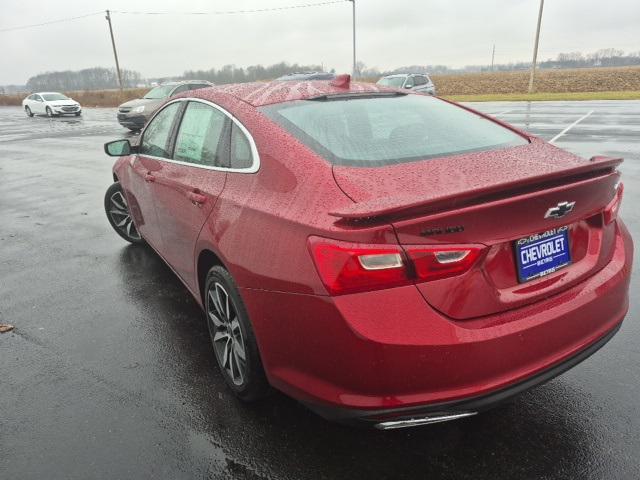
pixel 261 223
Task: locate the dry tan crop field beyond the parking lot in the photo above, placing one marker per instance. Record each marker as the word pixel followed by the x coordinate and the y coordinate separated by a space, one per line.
pixel 621 83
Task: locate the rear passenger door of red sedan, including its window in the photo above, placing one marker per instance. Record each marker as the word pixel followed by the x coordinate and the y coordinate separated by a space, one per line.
pixel 187 186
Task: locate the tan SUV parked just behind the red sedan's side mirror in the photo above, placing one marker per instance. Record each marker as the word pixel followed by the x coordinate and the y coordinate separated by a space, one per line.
pixel 135 113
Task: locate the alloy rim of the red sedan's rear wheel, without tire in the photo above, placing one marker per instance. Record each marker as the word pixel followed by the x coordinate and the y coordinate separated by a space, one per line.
pixel 226 334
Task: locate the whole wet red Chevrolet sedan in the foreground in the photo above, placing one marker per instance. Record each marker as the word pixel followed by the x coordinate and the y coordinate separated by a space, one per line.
pixel 382 256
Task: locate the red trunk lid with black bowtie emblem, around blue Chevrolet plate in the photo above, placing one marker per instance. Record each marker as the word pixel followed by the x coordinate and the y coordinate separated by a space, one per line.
pixel 494 199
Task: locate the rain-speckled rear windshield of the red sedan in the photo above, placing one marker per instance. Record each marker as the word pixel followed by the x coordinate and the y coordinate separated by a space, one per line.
pixel 384 130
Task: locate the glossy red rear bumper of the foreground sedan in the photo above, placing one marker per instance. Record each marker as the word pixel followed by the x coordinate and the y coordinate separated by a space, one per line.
pixel 386 353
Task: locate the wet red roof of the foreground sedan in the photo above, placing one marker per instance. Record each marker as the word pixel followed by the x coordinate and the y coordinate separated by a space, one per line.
pixel 261 93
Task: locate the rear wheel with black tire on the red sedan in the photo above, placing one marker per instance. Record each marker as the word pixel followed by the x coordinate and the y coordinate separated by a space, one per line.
pixel 251 384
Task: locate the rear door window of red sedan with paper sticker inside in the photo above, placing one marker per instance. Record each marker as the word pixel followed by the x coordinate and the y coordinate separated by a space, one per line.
pixel 199 136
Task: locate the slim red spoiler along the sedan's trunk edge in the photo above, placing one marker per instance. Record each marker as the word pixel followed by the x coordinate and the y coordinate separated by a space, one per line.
pixel 384 207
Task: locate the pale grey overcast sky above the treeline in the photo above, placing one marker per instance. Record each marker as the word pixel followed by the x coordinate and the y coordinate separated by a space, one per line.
pixel 391 33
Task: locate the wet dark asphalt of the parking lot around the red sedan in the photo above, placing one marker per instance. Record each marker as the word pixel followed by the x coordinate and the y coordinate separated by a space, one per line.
pixel 109 372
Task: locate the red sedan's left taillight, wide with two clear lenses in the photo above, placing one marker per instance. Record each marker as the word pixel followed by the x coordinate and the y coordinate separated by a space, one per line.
pixel 350 267
